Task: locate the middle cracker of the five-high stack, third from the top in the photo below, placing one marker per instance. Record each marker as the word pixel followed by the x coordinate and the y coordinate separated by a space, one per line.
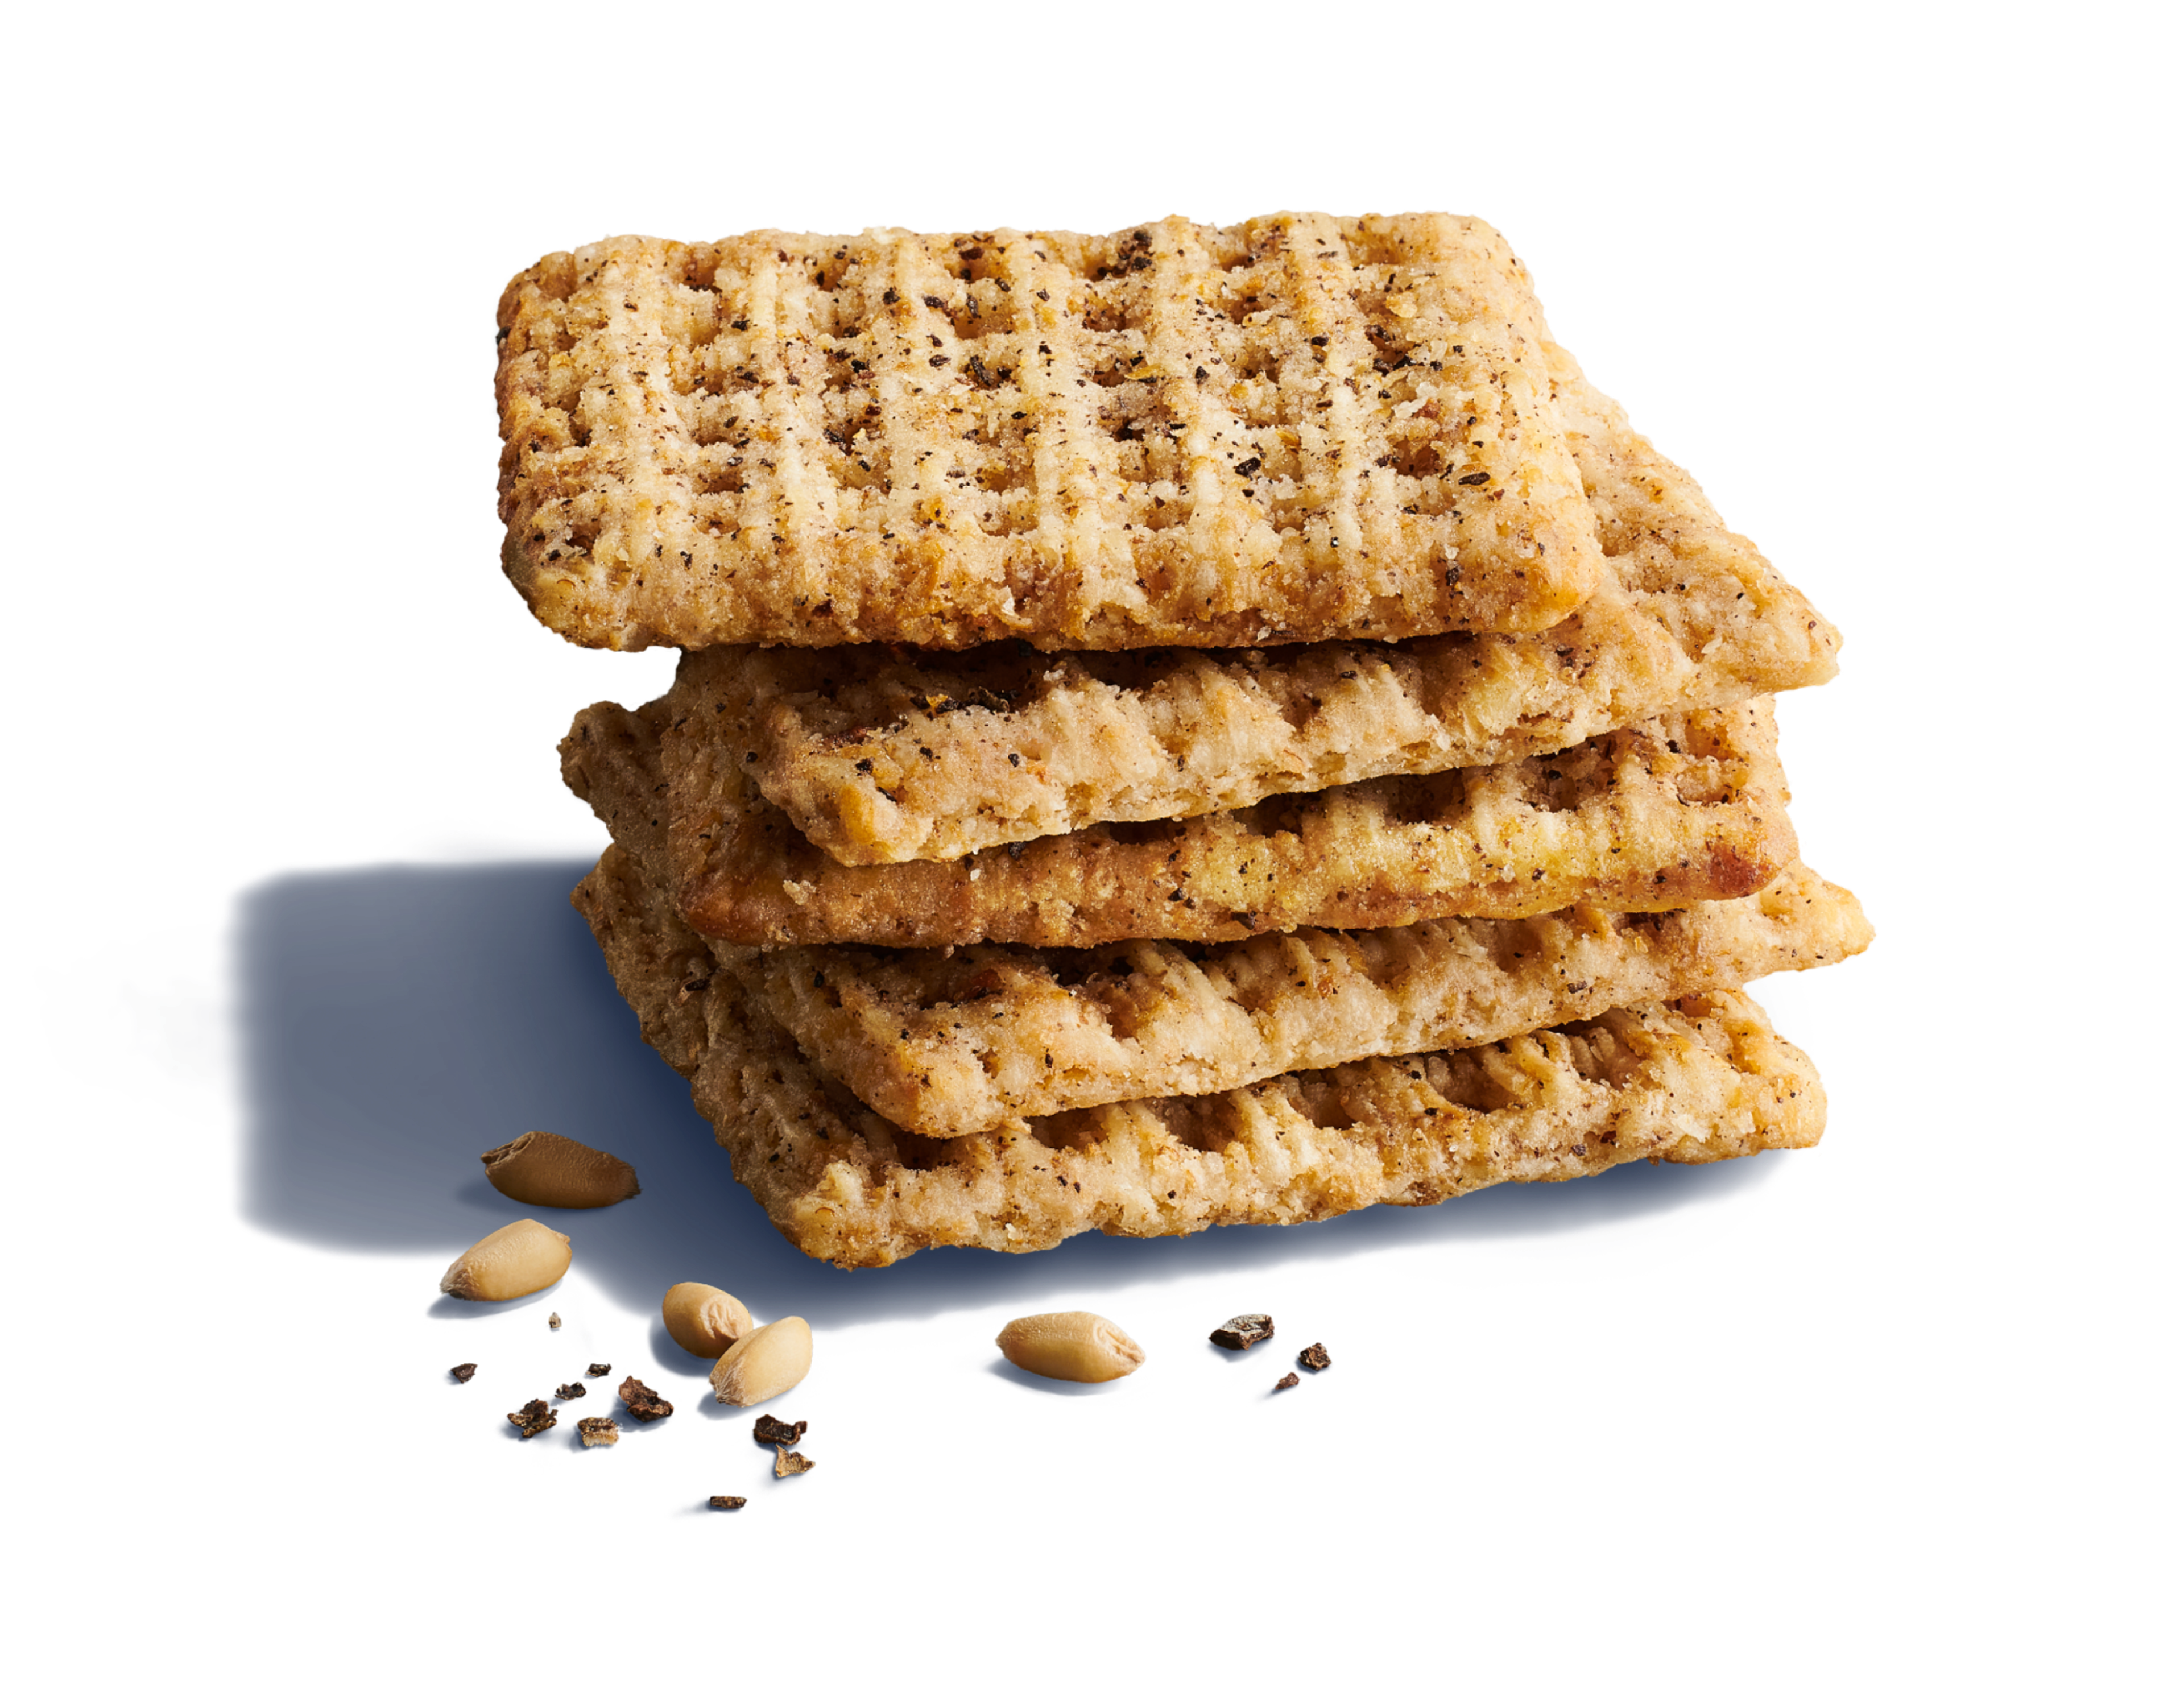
pixel 1650 818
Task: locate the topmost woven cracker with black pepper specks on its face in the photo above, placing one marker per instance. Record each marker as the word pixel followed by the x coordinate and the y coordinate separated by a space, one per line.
pixel 1296 427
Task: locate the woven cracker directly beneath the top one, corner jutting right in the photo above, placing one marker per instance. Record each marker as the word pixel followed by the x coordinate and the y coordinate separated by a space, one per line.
pixel 883 756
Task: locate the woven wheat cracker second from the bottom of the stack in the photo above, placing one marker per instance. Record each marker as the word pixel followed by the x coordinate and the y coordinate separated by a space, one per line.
pixel 988 1036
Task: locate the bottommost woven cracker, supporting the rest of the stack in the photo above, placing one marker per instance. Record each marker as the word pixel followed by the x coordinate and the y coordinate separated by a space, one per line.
pixel 1689 1084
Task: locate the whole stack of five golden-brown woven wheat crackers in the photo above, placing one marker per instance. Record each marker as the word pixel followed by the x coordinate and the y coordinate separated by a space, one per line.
pixel 1185 726
